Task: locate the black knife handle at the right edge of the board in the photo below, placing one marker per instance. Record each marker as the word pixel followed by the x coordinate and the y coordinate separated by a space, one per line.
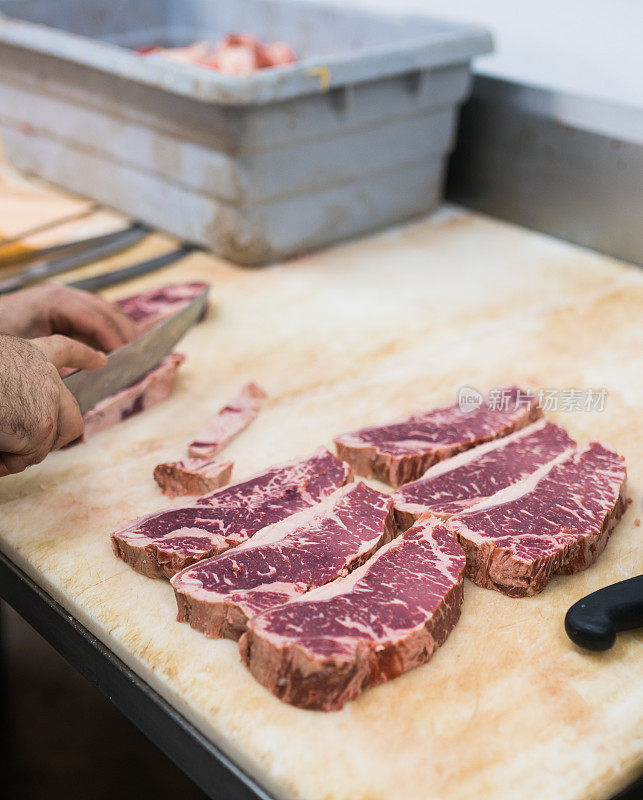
pixel 593 621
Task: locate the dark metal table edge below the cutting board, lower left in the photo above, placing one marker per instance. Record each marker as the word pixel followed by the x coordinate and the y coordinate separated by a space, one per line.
pixel 209 767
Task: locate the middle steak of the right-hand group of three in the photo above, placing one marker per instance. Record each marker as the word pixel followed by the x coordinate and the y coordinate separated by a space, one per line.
pixel 460 482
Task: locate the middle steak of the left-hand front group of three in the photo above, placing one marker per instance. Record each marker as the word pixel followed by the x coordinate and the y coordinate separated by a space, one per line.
pixel 309 549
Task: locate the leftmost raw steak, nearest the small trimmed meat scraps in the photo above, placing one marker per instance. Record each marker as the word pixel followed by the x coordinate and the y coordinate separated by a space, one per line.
pixel 162 544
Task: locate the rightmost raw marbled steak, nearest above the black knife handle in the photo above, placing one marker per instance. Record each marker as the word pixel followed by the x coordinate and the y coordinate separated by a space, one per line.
pixel 557 520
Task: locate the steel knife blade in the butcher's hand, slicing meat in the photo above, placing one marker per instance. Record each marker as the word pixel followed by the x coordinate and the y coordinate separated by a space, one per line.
pixel 130 363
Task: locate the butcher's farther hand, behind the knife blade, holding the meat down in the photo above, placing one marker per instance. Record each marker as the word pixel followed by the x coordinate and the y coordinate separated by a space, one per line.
pixel 52 308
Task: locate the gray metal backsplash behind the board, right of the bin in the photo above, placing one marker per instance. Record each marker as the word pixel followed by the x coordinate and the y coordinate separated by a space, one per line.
pixel 565 165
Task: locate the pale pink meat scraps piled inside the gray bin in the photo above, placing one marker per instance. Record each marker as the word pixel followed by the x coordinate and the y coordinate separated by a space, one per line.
pixel 235 54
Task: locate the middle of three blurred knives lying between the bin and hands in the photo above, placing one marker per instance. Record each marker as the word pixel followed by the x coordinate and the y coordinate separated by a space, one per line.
pixel 108 245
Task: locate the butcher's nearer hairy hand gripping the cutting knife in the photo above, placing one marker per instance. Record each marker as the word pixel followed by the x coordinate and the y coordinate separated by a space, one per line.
pixel 37 411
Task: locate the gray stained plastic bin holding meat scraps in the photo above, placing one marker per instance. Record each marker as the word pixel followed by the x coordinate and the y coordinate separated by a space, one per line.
pixel 352 137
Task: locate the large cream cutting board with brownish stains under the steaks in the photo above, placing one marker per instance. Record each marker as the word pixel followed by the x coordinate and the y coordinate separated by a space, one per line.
pixel 355 335
